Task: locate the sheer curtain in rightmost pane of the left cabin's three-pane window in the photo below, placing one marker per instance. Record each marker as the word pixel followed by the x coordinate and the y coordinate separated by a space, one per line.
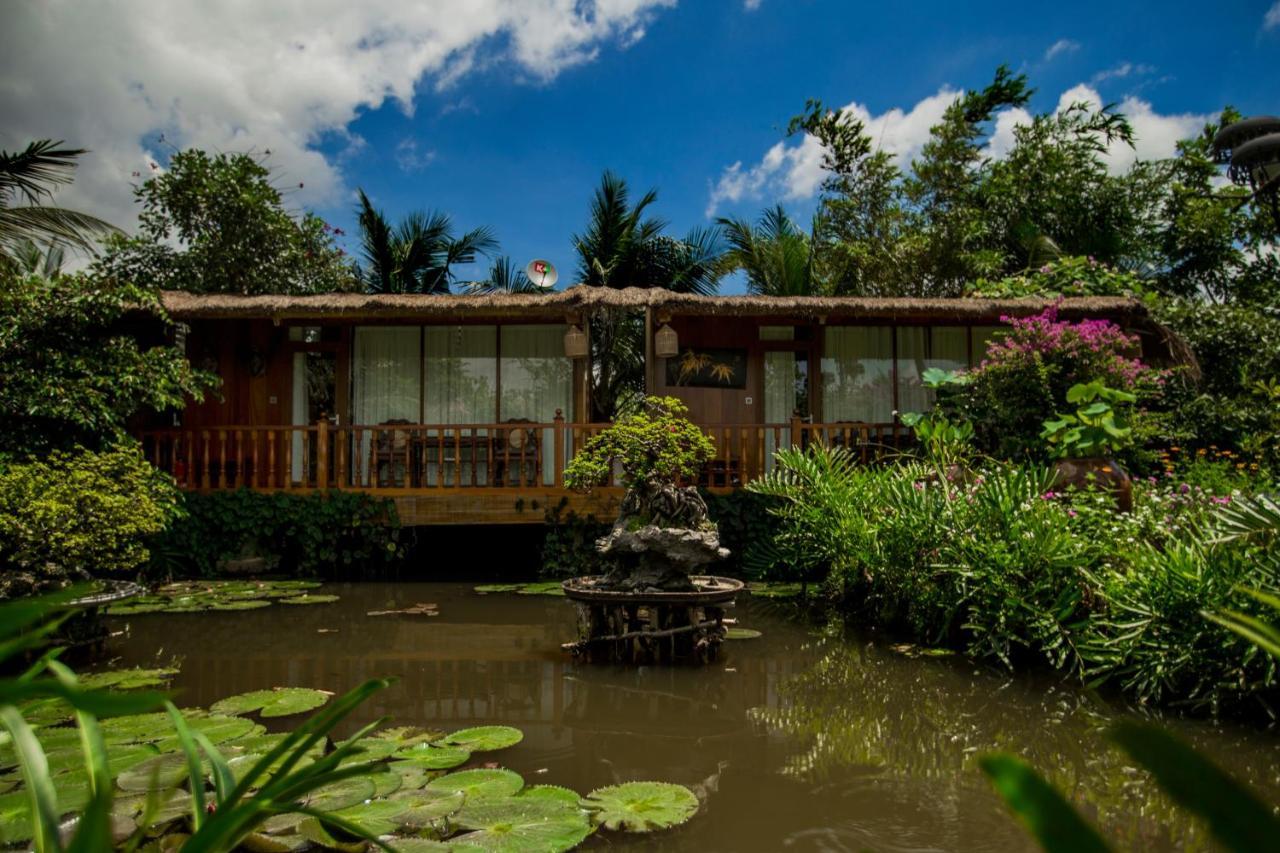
pixel 537 380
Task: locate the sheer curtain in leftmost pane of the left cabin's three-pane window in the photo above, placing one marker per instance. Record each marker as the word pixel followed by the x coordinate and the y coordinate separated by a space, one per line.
pixel 387 380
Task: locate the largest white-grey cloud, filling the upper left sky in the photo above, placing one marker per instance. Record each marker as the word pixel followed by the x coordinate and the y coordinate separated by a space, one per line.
pixel 234 76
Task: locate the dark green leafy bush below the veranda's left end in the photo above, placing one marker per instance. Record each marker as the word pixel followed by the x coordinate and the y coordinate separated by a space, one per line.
pixel 318 533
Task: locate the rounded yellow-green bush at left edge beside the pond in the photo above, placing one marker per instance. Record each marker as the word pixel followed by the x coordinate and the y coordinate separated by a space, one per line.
pixel 79 514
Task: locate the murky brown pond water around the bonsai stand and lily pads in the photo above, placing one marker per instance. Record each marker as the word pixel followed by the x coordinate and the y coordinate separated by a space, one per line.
pixel 797 742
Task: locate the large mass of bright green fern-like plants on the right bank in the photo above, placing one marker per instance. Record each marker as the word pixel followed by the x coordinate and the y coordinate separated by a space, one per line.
pixel 998 564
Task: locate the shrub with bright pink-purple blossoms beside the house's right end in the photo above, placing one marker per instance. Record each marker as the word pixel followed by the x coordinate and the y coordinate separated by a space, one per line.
pixel 1028 372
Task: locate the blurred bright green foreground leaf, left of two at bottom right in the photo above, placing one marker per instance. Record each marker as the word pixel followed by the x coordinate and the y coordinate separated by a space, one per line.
pixel 1050 819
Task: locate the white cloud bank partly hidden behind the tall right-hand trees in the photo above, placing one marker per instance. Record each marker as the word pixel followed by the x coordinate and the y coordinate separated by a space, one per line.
pixel 794 171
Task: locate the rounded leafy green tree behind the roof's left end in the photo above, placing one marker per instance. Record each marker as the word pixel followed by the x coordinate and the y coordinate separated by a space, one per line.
pixel 217 225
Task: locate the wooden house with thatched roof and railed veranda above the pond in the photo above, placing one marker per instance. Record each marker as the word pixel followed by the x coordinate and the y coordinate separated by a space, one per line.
pixel 467 409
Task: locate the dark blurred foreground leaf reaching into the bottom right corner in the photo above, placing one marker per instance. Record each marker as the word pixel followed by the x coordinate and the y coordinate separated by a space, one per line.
pixel 1236 816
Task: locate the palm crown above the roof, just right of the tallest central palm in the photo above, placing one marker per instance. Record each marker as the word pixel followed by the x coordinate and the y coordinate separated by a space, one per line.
pixel 776 257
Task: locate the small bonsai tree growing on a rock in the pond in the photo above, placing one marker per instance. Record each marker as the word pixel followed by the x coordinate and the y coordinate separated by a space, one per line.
pixel 662 530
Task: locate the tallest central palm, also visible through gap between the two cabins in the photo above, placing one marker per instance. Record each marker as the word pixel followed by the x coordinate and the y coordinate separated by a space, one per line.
pixel 625 248
